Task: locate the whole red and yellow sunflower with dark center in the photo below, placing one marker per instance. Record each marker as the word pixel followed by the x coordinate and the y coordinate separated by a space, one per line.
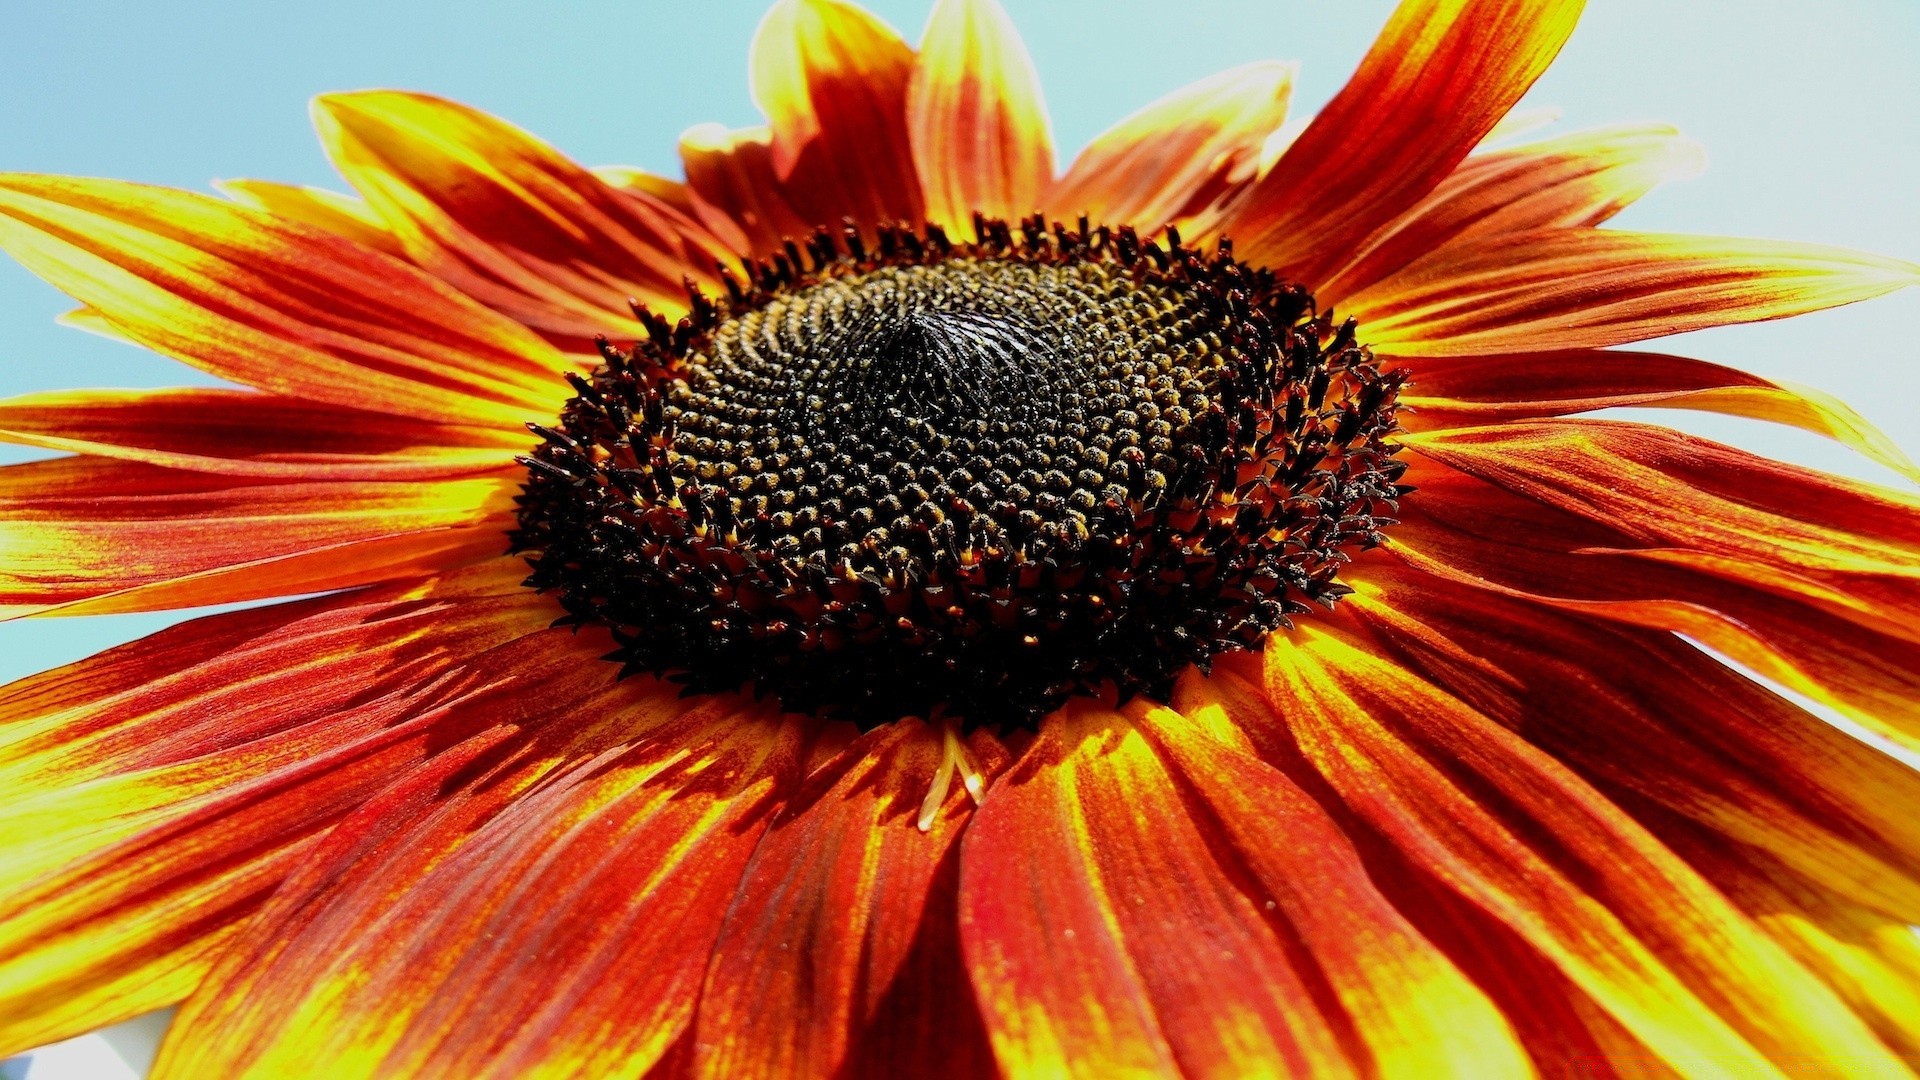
pixel 884 608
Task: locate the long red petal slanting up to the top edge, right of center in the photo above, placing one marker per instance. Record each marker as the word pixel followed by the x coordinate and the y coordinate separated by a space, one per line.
pixel 1431 87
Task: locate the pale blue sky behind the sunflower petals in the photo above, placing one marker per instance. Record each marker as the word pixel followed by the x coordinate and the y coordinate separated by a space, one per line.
pixel 1810 114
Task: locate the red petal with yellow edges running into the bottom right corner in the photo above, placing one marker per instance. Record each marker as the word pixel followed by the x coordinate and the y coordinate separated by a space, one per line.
pixel 1479 812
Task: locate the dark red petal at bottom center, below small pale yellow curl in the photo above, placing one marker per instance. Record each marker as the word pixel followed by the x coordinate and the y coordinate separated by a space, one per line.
pixel 842 954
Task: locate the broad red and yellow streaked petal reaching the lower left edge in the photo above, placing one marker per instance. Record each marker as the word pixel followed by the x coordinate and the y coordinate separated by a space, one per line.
pixel 156 793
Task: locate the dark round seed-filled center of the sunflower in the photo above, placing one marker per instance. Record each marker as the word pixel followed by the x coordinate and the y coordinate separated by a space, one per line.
pixel 965 478
